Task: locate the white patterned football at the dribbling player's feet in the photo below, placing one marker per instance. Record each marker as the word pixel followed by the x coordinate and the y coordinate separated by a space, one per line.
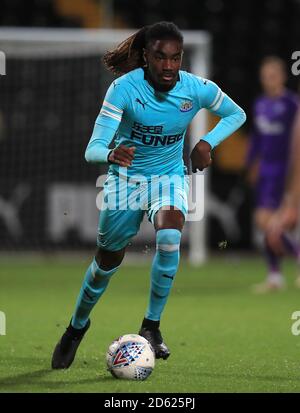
pixel 130 357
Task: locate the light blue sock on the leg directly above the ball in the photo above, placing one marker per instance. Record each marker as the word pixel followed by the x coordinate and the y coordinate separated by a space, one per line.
pixel 164 268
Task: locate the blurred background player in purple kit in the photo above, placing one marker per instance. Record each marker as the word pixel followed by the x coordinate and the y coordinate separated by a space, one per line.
pixel 274 114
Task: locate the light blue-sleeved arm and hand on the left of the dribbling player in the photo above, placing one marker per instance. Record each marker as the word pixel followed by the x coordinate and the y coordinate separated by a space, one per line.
pixel 105 128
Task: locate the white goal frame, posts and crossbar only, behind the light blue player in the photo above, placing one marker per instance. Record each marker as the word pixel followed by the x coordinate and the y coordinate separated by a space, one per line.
pixel 18 41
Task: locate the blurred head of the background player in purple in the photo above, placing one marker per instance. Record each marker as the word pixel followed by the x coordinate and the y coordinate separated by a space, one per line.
pixel 272 77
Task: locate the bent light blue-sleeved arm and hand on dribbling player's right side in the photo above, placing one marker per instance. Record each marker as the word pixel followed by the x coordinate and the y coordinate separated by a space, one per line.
pixel 232 117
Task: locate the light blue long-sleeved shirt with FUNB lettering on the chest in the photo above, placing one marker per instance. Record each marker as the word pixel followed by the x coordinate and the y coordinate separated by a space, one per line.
pixel 156 122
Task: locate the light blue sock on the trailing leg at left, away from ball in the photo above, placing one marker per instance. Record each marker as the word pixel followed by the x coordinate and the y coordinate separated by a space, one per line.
pixel 94 285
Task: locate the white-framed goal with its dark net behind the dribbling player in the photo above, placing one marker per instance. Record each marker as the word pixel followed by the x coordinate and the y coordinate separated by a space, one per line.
pixel 50 96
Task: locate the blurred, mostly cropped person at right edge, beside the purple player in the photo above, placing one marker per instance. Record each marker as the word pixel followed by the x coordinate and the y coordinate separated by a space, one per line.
pixel 287 216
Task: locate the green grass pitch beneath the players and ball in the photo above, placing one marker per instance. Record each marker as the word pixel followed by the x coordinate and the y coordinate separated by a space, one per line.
pixel 223 338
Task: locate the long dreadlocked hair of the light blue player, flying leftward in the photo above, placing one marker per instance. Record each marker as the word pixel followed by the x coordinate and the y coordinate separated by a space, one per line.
pixel 128 55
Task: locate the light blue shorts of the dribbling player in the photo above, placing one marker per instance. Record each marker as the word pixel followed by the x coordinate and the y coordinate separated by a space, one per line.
pixel 125 201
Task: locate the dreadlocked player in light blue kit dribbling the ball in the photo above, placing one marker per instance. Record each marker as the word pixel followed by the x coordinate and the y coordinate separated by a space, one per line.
pixel 147 110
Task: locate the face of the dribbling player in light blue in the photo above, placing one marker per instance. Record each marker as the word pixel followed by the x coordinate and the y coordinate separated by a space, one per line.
pixel 163 58
